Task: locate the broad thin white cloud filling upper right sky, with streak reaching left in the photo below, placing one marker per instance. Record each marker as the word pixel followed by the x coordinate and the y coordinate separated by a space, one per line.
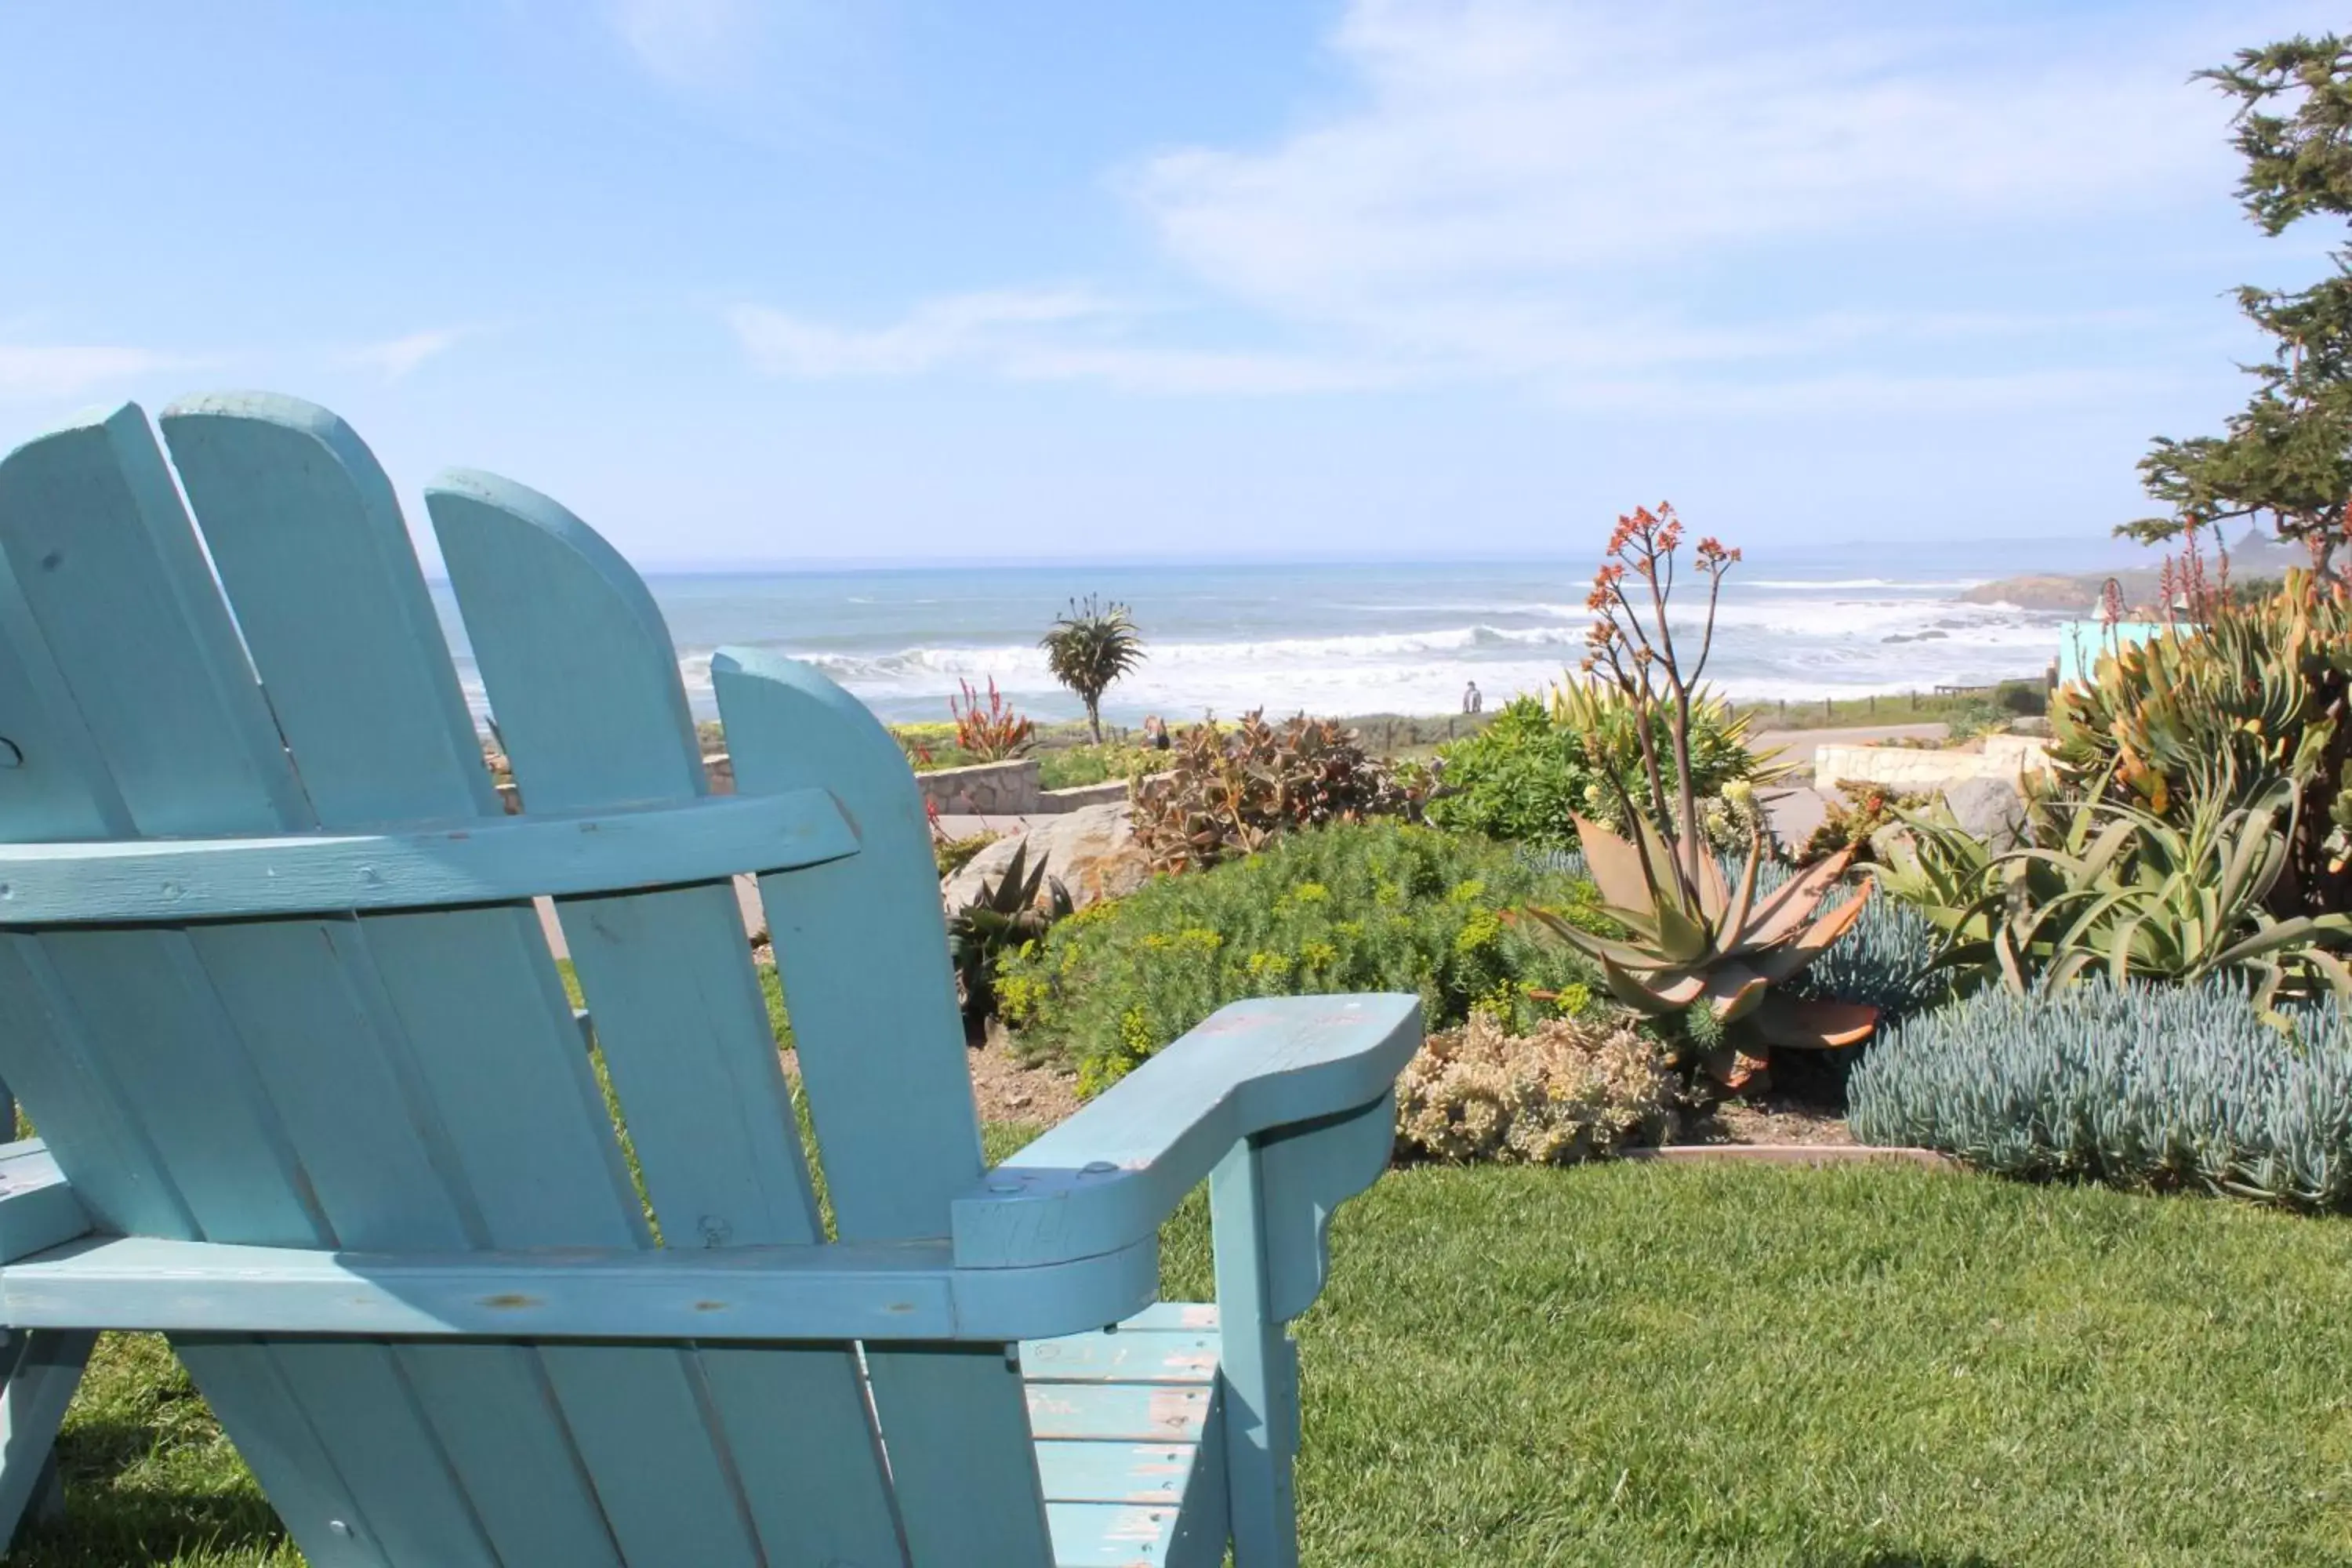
pixel 1626 206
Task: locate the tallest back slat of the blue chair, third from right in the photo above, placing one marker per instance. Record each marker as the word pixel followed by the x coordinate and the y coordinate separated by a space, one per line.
pixel 321 575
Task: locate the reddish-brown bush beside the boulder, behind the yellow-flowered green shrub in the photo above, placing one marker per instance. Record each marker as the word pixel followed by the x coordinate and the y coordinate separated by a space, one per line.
pixel 1231 791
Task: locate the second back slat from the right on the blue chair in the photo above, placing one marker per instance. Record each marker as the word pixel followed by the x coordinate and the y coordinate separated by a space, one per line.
pixel 584 681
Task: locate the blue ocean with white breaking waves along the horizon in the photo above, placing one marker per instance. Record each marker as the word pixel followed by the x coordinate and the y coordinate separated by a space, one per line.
pixel 1358 638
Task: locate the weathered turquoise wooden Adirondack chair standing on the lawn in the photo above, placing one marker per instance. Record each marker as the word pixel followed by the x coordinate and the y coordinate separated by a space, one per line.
pixel 314 1101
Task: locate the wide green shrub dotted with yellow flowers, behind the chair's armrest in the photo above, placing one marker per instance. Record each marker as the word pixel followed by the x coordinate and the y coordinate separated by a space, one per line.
pixel 1342 909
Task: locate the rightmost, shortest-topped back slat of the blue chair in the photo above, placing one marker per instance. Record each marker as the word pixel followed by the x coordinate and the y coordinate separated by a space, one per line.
pixel 864 960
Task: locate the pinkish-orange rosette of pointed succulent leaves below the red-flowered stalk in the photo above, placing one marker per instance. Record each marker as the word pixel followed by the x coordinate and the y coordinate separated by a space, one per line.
pixel 1718 951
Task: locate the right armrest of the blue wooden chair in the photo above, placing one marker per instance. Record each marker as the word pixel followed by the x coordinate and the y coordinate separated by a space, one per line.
pixel 1109 1177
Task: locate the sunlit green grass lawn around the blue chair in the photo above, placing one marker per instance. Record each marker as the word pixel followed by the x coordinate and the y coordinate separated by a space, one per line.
pixel 1638 1365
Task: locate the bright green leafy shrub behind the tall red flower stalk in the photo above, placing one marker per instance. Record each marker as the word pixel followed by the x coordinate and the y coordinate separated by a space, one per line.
pixel 1532 770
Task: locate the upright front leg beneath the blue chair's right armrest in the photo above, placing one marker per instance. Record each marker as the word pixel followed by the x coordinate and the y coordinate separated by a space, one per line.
pixel 1259 1372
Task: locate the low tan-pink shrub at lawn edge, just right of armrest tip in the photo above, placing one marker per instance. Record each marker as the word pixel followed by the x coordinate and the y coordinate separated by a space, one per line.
pixel 1553 1097
